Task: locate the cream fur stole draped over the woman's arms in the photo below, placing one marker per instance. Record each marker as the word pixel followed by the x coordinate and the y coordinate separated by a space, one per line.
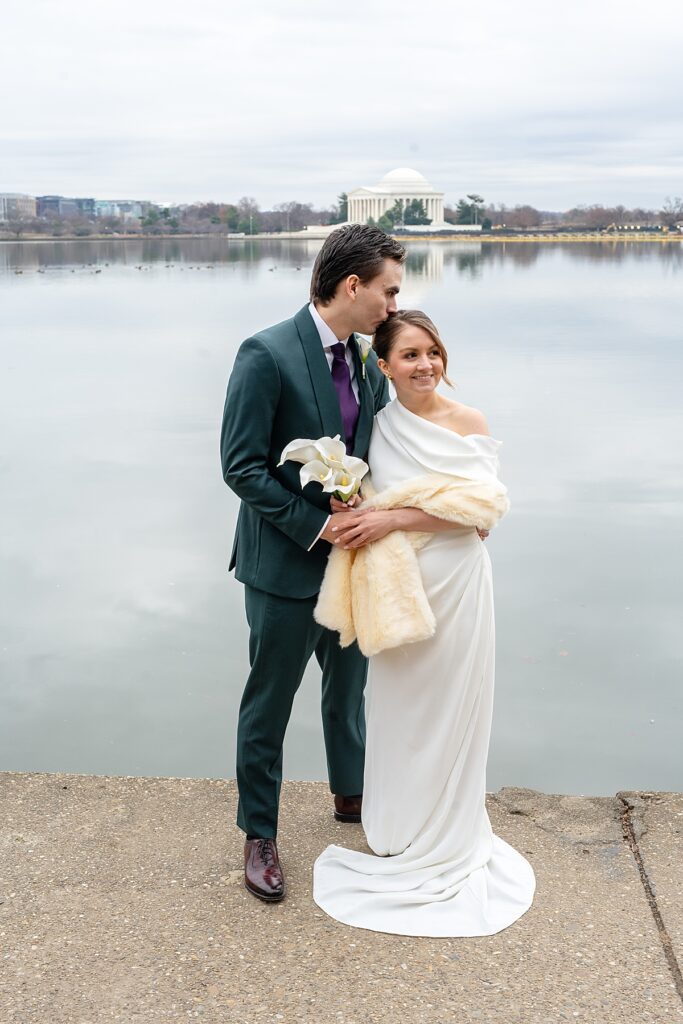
pixel 375 594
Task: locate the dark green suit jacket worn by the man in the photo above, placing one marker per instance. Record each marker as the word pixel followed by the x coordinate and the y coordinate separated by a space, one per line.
pixel 281 389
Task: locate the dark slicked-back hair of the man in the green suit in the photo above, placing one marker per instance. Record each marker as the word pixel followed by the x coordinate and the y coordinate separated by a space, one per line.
pixel 358 249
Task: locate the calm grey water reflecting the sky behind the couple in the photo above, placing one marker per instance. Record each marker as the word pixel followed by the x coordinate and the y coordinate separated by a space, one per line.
pixel 123 643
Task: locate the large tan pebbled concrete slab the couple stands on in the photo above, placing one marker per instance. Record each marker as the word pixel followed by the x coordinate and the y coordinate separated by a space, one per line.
pixel 122 901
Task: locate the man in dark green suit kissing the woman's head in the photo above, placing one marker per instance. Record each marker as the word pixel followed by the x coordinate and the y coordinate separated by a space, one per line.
pixel 303 378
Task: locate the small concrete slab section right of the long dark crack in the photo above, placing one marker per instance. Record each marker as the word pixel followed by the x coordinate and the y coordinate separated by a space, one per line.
pixel 658 822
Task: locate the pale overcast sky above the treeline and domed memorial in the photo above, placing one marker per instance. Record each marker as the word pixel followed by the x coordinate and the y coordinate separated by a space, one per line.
pixel 523 101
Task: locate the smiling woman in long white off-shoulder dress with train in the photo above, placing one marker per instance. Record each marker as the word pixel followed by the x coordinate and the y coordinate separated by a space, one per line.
pixel 438 869
